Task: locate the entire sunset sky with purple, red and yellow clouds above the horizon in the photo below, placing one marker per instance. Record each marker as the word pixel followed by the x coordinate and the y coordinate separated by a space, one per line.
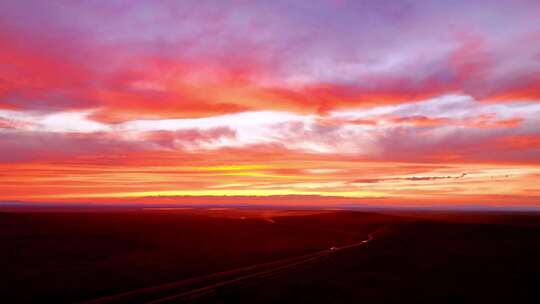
pixel 382 102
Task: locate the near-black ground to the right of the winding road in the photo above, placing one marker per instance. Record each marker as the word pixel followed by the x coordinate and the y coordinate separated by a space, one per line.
pixel 421 262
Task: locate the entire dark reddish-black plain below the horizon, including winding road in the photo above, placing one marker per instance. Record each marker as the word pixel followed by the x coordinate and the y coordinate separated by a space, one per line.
pixel 269 256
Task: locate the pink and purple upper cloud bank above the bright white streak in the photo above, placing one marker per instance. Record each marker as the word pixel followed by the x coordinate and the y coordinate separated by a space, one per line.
pixel 222 59
